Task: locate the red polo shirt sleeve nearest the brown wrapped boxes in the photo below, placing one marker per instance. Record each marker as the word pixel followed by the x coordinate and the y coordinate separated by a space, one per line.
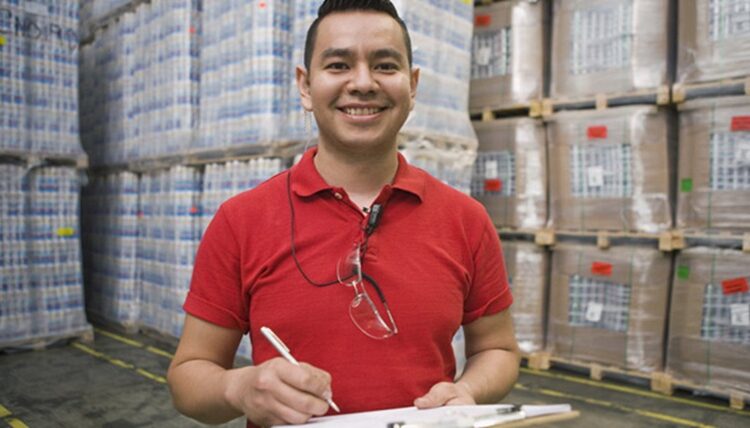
pixel 489 292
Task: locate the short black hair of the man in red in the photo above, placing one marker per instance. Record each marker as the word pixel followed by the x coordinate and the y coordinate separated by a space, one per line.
pixel 331 6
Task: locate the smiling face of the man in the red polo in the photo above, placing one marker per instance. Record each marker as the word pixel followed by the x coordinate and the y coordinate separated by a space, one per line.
pixel 359 85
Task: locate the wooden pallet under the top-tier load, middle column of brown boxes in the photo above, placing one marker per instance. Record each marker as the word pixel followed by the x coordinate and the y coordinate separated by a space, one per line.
pixel 659 96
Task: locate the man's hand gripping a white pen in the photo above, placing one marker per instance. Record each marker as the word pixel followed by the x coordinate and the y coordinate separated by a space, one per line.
pixel 278 392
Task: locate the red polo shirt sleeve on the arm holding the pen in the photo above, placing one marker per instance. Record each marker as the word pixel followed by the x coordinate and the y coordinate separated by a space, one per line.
pixel 216 287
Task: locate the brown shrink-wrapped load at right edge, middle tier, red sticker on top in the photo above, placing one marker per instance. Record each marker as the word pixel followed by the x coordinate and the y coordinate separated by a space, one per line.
pixel 714 164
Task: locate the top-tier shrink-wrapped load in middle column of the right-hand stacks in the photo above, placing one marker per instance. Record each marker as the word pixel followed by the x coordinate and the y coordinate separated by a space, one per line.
pixel 609 46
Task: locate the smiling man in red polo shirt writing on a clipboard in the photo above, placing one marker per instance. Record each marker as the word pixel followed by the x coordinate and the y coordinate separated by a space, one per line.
pixel 299 253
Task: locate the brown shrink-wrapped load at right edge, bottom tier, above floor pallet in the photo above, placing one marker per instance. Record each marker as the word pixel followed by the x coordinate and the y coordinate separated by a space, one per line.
pixel 709 326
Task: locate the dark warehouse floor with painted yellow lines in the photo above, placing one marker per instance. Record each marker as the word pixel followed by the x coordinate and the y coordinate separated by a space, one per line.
pixel 118 382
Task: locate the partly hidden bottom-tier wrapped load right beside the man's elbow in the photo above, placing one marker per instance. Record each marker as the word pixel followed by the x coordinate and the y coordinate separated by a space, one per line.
pixel 526 264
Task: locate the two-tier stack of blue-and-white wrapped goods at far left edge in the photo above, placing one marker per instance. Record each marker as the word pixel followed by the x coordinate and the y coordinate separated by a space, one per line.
pixel 41 287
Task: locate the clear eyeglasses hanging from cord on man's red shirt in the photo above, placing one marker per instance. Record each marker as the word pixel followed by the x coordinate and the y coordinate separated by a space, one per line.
pixel 362 310
